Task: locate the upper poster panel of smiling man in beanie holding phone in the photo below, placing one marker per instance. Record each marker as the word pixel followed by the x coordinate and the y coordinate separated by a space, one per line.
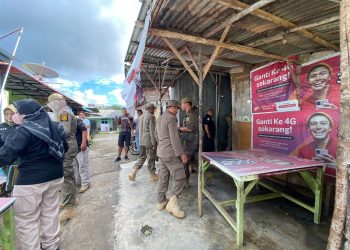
pixel 320 84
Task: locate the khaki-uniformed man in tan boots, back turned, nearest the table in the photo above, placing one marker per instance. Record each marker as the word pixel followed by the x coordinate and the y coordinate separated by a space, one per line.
pixel 172 159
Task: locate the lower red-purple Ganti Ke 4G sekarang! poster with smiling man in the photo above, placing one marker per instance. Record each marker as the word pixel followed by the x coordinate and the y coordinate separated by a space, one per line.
pixel 309 134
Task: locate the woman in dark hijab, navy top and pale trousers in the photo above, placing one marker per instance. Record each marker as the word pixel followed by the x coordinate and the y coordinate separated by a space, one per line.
pixel 40 146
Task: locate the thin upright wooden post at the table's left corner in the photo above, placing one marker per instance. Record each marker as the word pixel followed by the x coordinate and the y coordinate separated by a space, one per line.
pixel 200 85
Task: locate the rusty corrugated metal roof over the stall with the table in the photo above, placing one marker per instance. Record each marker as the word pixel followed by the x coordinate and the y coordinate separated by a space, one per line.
pixel 198 17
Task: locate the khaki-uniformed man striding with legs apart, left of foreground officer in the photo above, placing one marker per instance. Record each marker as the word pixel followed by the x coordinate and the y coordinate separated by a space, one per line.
pixel 148 143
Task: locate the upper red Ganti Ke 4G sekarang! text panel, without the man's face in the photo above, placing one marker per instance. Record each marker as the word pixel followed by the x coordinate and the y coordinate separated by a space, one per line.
pixel 270 85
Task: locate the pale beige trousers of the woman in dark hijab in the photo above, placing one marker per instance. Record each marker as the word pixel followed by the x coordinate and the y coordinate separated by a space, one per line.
pixel 37 214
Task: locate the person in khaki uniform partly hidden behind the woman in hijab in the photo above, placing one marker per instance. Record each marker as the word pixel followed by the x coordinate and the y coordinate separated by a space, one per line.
pixel 65 116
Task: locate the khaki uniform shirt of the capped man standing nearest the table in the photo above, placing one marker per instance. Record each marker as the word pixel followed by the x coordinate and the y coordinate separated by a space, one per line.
pixel 167 135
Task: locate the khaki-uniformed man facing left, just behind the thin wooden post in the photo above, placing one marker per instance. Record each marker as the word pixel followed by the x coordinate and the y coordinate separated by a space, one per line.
pixel 189 134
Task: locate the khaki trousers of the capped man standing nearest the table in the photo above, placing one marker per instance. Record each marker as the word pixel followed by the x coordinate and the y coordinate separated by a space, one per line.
pixel 173 167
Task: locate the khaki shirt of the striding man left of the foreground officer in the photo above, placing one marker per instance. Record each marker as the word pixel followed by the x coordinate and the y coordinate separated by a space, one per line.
pixel 147 124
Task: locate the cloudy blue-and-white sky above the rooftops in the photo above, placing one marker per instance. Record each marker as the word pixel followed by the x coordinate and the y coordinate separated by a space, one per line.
pixel 85 41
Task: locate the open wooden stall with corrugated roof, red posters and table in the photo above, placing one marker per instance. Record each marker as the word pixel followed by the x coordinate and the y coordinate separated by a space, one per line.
pixel 271 72
